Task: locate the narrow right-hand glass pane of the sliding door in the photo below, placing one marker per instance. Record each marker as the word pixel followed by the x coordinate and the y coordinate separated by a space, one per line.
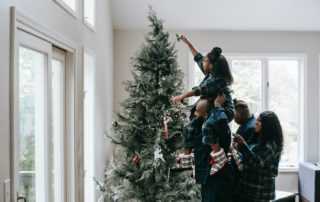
pixel 57 130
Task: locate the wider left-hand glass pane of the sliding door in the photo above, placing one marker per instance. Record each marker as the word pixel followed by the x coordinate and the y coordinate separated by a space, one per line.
pixel 31 123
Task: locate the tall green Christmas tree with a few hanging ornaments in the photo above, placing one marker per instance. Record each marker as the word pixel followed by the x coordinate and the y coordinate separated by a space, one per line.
pixel 148 132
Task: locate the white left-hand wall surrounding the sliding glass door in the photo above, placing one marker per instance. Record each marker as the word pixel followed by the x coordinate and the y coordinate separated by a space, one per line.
pixel 51 15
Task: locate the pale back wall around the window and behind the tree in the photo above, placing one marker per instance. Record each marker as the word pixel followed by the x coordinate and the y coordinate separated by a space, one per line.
pixel 127 42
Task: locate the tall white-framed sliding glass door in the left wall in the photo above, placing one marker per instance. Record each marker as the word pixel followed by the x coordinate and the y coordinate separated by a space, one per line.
pixel 41 103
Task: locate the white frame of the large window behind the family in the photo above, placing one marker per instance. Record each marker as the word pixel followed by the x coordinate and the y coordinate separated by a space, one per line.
pixel 302 58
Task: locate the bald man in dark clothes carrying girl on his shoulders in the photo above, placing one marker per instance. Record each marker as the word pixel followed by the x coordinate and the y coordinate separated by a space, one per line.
pixel 203 130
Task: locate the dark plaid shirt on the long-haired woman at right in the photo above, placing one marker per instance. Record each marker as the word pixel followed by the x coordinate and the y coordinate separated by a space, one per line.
pixel 257 180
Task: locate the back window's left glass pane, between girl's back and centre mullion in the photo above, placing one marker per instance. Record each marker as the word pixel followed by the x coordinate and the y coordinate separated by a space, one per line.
pixel 247 84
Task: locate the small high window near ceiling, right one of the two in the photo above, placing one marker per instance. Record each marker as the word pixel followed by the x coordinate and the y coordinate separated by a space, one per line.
pixel 89 12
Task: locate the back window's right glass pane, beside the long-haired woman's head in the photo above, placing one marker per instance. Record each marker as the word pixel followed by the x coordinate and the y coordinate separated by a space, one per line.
pixel 284 101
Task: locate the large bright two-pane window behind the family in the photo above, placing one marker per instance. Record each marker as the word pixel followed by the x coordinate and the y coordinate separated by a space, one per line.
pixel 271 83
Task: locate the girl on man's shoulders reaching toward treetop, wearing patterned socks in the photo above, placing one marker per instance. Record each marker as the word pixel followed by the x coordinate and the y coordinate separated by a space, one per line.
pixel 217 78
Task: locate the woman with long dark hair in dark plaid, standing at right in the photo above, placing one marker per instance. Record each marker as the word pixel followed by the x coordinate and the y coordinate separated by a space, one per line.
pixel 260 160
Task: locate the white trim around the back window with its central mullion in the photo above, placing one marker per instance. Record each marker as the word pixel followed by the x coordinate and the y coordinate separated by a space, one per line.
pixel 302 57
